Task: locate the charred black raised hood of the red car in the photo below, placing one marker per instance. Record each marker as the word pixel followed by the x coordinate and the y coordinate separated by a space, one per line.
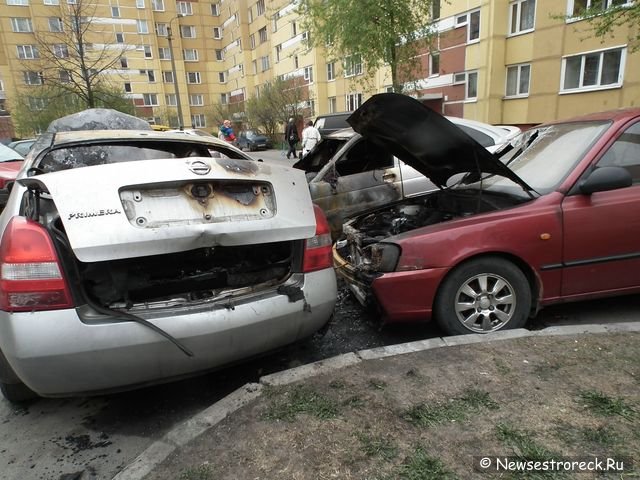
pixel 424 139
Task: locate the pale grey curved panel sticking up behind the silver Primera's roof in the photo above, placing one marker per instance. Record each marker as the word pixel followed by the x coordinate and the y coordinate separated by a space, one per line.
pixel 98 119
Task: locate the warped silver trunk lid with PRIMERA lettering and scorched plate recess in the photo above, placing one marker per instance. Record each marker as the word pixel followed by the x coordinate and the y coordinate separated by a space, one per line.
pixel 152 207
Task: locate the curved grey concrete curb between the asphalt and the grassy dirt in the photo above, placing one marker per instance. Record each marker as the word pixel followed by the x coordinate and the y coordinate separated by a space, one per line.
pixel 199 423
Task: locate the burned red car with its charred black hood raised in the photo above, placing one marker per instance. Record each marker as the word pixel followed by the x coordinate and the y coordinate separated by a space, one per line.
pixel 553 219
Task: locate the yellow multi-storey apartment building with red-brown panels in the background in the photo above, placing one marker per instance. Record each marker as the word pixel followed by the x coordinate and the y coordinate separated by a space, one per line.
pixel 499 61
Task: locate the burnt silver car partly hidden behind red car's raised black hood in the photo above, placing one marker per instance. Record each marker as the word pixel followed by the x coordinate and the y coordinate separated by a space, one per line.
pixel 349 174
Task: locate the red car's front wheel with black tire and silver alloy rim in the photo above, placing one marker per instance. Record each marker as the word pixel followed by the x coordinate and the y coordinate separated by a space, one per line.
pixel 482 296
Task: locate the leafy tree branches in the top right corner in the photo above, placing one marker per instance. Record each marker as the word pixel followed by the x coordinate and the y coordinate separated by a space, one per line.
pixel 603 20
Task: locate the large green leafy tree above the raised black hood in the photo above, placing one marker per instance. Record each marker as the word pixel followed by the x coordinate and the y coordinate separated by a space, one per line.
pixel 379 32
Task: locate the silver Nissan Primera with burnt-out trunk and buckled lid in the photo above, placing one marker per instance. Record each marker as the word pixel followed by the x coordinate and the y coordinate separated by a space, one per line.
pixel 134 257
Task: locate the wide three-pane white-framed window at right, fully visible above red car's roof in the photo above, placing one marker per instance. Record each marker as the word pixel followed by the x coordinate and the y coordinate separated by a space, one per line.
pixel 593 70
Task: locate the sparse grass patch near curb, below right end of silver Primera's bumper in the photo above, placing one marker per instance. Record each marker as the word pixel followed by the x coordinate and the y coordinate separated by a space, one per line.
pixel 287 404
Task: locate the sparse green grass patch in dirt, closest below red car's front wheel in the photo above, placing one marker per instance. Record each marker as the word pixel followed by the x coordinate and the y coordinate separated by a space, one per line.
pixel 458 409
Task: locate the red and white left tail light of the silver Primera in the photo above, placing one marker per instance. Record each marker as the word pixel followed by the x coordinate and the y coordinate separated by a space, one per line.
pixel 30 274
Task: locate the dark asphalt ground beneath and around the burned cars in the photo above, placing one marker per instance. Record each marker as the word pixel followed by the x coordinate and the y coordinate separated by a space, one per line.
pixel 93 438
